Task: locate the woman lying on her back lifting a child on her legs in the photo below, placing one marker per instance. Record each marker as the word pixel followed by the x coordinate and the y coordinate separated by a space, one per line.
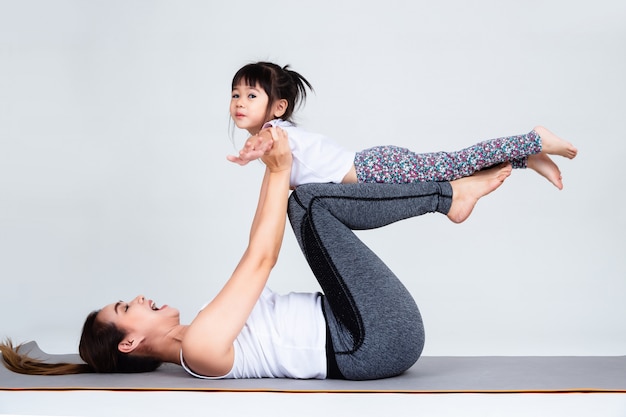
pixel 365 325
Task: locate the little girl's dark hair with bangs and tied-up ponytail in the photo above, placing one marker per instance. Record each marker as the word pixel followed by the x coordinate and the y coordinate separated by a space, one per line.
pixel 277 82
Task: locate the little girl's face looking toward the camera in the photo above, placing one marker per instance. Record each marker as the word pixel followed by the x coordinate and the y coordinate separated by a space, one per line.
pixel 248 107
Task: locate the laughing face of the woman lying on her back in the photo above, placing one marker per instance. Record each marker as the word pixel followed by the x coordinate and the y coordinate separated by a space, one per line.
pixel 140 315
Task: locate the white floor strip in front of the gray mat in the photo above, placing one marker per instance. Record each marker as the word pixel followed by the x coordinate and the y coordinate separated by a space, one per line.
pixel 107 403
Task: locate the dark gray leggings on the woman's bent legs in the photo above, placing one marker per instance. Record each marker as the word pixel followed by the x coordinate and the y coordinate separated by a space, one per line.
pixel 374 327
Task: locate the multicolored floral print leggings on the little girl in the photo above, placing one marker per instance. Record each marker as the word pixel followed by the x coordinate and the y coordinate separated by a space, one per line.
pixel 395 165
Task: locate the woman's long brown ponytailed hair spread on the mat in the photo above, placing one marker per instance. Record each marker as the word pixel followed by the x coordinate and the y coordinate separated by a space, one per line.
pixel 98 348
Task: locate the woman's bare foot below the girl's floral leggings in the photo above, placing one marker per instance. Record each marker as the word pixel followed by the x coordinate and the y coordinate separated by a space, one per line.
pixel 467 191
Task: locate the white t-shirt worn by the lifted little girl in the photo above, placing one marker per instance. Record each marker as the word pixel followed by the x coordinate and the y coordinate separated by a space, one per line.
pixel 316 158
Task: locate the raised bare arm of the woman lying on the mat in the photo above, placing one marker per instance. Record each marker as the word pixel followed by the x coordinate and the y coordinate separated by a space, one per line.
pixel 208 343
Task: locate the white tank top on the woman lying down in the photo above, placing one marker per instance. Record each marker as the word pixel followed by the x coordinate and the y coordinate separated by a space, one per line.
pixel 284 337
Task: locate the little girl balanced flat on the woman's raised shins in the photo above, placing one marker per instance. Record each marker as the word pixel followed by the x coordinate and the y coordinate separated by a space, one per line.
pixel 265 95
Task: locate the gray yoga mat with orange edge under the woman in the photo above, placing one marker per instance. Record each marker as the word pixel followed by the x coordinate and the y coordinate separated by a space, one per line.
pixel 431 374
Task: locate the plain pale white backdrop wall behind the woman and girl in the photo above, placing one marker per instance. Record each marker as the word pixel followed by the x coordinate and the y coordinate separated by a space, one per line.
pixel 114 130
